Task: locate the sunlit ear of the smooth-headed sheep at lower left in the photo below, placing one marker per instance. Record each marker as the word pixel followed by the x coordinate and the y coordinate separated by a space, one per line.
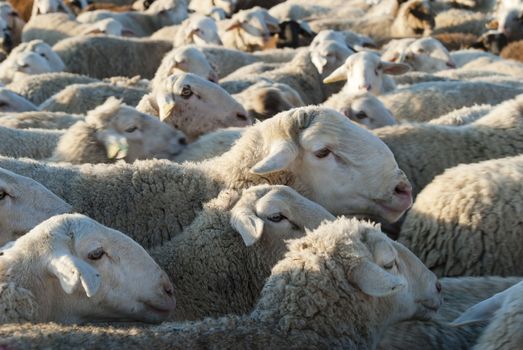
pixel 73 272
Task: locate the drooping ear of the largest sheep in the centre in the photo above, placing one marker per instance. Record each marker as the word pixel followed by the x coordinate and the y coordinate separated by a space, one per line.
pixel 282 153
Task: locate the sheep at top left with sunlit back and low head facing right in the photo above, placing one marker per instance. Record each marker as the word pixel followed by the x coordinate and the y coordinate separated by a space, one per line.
pixel 54 27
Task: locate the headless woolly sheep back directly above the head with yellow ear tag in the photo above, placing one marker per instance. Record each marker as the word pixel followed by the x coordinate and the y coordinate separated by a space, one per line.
pixel 79 98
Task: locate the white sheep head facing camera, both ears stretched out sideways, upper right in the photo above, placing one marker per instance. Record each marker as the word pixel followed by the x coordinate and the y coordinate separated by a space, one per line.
pixel 364 72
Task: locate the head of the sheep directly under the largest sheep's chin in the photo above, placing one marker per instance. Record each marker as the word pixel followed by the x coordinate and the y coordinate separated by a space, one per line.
pixel 273 214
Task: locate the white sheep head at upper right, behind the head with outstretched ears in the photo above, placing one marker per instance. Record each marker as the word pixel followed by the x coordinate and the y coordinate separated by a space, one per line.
pixel 428 55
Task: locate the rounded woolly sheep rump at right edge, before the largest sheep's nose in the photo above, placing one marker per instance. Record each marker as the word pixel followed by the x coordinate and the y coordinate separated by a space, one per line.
pixel 468 220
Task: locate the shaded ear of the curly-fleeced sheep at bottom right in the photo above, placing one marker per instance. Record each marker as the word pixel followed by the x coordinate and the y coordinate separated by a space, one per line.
pixel 374 281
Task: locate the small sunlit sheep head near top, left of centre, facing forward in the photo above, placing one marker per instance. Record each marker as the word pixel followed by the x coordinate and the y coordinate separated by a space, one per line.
pixel 199 30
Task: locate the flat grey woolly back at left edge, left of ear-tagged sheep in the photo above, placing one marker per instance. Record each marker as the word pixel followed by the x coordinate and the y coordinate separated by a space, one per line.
pixel 36 144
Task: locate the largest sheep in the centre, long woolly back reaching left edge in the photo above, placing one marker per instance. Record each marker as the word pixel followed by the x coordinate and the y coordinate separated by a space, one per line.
pixel 163 197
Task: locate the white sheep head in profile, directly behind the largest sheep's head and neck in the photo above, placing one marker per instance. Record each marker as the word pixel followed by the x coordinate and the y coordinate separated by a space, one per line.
pixel 197 106
